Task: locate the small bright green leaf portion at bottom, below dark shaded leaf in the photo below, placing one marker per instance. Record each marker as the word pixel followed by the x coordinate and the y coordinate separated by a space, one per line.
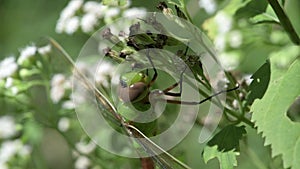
pixel 227 159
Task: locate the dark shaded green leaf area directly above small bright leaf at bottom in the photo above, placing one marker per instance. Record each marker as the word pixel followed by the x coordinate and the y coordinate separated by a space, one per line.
pixel 228 138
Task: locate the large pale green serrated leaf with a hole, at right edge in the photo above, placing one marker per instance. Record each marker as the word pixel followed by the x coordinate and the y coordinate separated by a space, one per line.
pixel 269 114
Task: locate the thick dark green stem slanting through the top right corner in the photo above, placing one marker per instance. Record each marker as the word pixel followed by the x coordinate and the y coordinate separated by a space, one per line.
pixel 285 21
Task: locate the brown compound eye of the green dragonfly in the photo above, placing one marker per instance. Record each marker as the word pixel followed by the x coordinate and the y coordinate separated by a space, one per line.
pixel 131 93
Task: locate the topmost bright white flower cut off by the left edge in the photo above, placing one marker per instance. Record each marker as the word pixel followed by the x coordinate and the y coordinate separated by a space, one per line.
pixel 8 67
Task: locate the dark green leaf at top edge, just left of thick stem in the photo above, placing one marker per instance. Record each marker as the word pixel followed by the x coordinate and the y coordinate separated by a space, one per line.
pixel 251 9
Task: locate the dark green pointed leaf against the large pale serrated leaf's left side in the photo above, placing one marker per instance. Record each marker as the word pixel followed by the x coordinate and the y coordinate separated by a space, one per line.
pixel 259 84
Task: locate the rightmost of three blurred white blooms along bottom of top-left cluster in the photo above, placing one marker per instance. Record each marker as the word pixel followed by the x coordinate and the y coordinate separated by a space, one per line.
pixel 88 22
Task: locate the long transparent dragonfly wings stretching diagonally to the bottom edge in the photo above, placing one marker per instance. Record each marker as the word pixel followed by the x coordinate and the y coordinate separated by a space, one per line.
pixel 145 146
